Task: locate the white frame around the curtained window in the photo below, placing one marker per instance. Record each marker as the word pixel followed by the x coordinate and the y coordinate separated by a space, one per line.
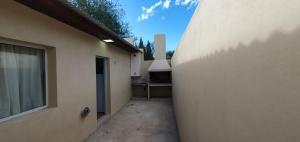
pixel 46 80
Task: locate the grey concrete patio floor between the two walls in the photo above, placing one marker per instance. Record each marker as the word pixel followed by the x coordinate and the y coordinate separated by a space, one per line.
pixel 139 121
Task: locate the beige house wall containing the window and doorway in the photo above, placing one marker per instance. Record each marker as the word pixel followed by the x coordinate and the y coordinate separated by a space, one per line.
pixel 76 77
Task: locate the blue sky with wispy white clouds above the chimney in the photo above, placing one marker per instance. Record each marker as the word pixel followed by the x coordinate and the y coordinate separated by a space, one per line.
pixel 148 17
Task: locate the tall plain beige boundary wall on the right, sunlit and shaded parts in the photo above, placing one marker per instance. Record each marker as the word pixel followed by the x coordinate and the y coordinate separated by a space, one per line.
pixel 236 72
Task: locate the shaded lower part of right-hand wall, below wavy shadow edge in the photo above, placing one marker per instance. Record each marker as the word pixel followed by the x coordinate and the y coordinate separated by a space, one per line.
pixel 249 93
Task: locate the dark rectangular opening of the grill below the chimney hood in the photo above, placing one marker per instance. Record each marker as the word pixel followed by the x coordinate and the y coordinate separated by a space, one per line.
pixel 160 77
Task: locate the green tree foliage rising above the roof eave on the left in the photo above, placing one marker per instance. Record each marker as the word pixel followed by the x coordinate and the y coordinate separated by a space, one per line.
pixel 107 12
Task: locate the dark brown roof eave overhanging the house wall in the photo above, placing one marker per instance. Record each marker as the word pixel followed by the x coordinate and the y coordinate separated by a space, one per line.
pixel 62 11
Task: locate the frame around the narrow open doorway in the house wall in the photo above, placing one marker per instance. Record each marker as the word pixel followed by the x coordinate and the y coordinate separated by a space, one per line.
pixel 106 84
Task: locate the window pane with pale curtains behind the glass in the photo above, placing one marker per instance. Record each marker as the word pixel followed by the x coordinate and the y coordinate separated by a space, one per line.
pixel 22 80
